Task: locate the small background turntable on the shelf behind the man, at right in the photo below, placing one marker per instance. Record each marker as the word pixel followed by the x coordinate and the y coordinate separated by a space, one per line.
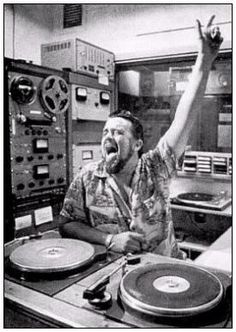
pixel 203 200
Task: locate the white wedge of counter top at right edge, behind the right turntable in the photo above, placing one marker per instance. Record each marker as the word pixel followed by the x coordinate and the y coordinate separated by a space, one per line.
pixel 218 255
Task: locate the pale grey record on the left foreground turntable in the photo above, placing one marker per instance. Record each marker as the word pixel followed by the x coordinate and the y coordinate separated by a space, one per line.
pixel 52 255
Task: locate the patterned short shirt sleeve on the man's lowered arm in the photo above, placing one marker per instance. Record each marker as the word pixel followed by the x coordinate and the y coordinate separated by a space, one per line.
pixel 74 202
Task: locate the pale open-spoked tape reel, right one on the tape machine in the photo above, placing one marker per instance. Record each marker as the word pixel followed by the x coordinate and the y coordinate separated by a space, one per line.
pixel 54 93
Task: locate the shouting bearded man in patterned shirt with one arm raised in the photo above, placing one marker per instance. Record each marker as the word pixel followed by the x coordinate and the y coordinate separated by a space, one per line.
pixel 122 201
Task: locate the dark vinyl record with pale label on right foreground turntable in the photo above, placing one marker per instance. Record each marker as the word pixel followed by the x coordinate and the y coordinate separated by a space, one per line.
pixel 170 290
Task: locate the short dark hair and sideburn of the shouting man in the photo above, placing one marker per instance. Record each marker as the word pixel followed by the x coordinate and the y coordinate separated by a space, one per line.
pixel 137 128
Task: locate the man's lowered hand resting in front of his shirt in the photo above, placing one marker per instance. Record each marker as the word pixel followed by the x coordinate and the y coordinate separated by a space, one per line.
pixel 127 242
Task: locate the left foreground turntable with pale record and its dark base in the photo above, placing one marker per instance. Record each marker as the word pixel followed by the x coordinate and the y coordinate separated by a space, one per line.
pixel 49 265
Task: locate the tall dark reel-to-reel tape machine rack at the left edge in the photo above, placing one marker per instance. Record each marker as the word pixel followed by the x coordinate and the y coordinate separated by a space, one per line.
pixel 36 120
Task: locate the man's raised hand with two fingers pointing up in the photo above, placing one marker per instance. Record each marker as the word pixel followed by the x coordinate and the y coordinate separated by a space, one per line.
pixel 210 39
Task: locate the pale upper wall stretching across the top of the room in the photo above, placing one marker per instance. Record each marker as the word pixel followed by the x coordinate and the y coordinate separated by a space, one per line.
pixel 129 30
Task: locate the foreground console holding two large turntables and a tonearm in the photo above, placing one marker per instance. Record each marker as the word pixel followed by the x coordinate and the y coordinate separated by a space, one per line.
pixel 145 290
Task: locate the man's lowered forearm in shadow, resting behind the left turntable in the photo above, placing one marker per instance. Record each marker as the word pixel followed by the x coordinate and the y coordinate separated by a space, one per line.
pixel 81 231
